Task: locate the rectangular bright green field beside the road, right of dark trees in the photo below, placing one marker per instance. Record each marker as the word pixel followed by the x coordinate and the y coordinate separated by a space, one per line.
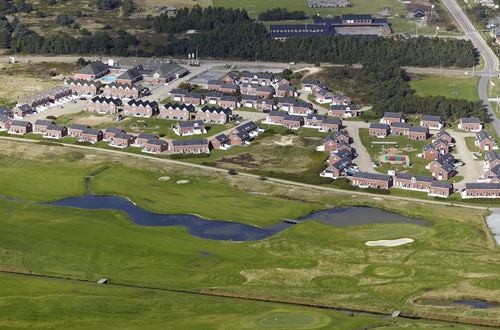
pixel 460 87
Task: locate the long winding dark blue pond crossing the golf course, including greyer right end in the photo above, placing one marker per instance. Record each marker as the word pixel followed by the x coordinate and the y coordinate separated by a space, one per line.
pixel 232 231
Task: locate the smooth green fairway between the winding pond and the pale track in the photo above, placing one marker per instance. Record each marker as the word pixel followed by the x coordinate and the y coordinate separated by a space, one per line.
pixel 200 196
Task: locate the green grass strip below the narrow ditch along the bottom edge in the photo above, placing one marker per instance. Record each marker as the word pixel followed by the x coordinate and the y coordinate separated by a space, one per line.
pixel 31 302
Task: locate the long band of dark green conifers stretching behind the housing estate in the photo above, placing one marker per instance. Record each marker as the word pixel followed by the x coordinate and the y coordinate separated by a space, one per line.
pixel 229 33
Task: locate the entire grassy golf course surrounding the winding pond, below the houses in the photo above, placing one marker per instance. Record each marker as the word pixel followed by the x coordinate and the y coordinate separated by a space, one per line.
pixel 310 262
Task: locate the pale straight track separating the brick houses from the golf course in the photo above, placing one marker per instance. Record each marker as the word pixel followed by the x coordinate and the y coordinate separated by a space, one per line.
pixel 256 177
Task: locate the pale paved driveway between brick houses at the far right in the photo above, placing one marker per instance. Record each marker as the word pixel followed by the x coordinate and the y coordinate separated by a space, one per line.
pixel 472 169
